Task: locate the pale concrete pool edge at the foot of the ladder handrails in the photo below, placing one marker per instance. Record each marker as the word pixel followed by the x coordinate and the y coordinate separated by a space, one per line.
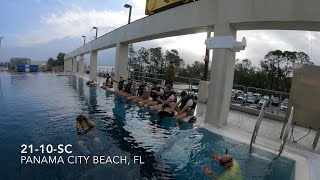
pixel 302 158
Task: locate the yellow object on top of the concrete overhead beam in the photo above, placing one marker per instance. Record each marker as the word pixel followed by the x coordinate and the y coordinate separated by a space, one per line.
pixel 153 6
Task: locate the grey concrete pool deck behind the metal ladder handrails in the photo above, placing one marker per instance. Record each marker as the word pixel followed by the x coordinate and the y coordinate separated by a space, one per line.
pixel 240 127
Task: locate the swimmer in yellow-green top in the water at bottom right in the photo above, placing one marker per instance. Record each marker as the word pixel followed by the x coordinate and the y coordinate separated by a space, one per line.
pixel 232 167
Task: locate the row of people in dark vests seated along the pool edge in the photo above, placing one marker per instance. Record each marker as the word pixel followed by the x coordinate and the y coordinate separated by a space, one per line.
pixel 157 98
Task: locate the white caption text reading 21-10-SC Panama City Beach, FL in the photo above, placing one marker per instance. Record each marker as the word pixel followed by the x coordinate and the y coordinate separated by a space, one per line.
pixel 47 158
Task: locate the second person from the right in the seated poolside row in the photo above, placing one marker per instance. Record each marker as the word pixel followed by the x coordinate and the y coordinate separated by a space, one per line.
pixel 164 100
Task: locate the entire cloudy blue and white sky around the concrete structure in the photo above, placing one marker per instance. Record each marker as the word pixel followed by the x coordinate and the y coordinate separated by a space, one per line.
pixel 39 29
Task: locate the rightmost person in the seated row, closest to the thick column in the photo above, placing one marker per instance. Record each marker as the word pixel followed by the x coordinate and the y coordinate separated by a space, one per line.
pixel 185 107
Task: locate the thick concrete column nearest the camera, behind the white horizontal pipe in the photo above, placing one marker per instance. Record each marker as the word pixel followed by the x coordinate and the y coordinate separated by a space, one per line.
pixel 221 79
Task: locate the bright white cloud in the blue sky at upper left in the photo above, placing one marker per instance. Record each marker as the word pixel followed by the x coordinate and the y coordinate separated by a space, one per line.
pixel 73 23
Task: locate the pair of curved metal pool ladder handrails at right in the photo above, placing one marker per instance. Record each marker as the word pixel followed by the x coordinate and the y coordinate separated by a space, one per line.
pixel 285 132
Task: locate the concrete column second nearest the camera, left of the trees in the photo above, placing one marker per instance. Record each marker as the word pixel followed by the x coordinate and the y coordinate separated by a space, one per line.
pixel 121 61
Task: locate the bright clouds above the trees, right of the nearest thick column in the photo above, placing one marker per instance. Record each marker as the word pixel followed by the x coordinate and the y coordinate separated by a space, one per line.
pixel 262 41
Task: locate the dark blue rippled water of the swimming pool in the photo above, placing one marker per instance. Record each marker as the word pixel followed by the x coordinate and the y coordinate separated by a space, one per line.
pixel 41 109
